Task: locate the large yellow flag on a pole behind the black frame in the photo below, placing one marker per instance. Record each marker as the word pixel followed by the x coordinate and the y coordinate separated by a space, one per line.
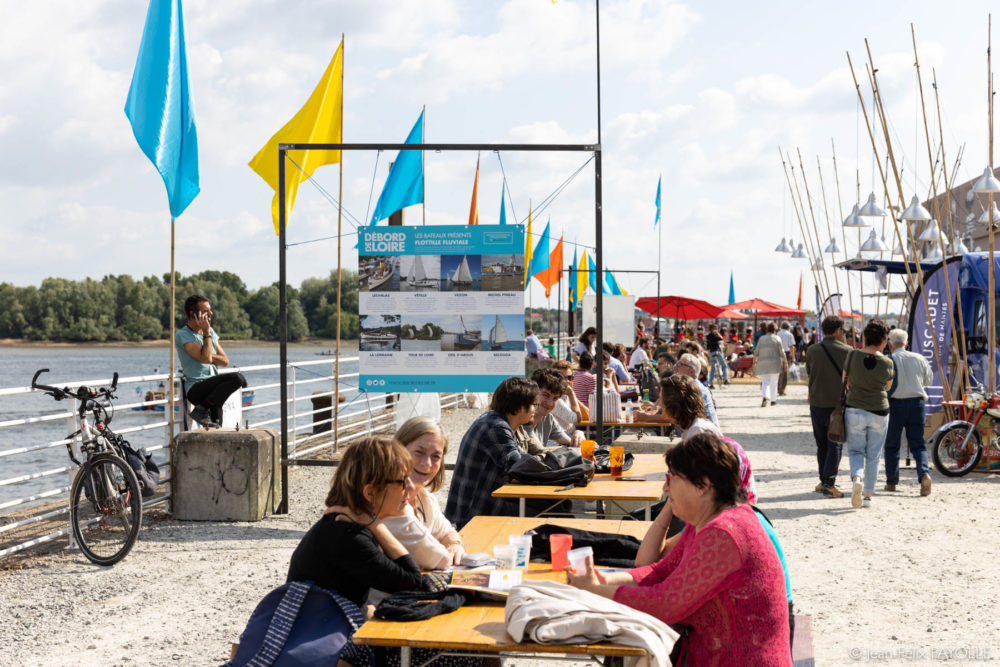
pixel 320 120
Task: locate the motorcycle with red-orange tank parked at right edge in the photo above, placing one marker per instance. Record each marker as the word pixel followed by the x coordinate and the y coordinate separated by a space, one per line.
pixel 958 445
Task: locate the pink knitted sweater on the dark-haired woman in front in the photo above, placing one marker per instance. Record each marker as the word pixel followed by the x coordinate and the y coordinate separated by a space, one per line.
pixel 726 582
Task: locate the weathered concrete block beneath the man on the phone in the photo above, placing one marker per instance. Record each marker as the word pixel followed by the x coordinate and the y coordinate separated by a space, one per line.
pixel 226 475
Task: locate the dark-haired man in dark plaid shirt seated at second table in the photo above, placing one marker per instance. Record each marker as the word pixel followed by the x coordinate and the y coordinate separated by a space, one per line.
pixel 488 450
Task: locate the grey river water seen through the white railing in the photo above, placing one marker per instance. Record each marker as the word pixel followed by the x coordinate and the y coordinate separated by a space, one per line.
pixel 78 363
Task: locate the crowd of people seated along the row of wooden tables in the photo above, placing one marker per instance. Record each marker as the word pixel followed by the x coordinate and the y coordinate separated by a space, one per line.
pixel 381 526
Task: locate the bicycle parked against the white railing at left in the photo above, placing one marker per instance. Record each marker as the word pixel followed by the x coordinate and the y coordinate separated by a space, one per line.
pixel 105 497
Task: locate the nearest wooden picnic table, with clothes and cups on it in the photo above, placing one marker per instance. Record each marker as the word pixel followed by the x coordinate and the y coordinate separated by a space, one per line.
pixel 479 625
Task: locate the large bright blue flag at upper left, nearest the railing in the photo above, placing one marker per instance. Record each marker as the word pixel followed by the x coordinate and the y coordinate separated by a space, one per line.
pixel 159 106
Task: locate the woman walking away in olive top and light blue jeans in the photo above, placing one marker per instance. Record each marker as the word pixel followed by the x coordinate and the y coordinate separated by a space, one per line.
pixel 869 376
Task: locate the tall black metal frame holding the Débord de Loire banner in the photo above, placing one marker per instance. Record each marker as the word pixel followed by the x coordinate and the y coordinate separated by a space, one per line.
pixel 284 148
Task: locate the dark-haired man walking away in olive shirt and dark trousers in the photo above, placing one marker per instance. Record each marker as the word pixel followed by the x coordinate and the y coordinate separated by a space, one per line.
pixel 825 367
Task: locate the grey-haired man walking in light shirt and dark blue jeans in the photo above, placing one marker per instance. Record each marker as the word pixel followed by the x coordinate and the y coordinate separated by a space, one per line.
pixel 907 403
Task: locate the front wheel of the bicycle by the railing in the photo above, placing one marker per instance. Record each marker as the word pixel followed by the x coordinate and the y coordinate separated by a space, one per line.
pixel 105 509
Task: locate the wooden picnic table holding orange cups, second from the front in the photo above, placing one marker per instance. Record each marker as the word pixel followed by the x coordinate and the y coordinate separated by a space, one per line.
pixel 643 482
